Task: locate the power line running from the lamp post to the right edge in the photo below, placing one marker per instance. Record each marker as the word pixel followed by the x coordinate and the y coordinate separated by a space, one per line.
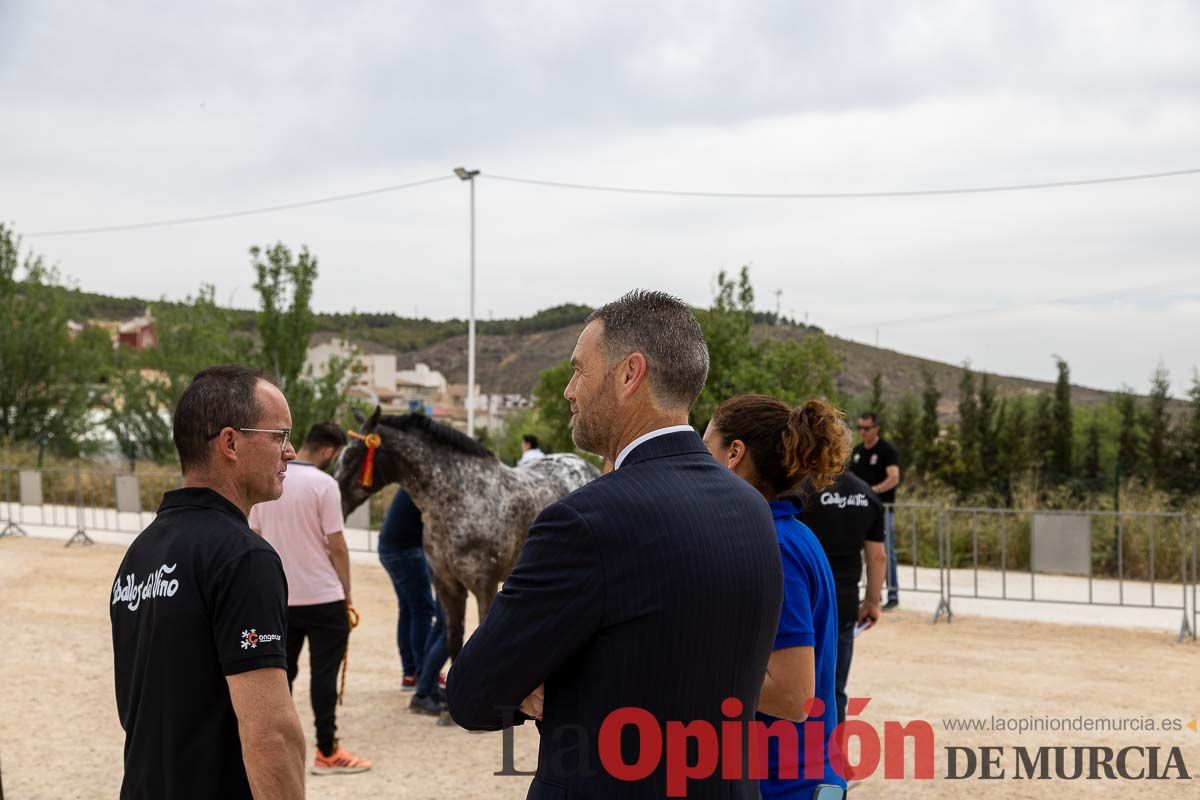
pixel 843 196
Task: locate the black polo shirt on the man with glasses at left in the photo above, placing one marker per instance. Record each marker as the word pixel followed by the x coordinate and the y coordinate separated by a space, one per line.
pixel 199 597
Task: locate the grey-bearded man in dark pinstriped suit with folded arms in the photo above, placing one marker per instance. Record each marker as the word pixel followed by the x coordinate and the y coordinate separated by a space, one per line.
pixel 658 586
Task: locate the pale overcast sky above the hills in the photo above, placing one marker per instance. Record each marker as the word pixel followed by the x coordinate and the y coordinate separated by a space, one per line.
pixel 119 113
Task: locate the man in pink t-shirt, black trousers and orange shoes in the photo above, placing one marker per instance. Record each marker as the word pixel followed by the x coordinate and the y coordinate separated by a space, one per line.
pixel 305 528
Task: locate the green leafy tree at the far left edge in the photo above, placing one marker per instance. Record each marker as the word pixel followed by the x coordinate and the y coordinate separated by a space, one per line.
pixel 47 378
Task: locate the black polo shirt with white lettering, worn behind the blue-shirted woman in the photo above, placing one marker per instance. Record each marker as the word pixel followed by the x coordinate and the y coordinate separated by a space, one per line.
pixel 844 518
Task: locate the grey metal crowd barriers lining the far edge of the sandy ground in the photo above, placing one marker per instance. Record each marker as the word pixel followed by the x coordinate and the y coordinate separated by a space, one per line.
pixel 1085 558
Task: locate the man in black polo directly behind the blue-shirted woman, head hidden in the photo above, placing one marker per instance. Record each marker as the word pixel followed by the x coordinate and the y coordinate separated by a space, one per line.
pixel 848 519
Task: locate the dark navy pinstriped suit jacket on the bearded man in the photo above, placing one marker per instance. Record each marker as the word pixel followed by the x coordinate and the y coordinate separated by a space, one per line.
pixel 657 586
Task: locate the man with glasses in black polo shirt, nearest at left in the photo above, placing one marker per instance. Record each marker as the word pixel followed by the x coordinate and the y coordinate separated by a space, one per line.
pixel 200 611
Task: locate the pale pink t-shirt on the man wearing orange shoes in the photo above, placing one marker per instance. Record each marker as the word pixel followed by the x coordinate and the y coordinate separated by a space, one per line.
pixel 297 526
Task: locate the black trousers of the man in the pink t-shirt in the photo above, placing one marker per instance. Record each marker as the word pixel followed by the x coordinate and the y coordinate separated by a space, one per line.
pixel 328 630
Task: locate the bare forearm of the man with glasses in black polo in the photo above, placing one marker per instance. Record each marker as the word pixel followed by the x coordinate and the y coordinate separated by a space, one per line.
pixel 272 737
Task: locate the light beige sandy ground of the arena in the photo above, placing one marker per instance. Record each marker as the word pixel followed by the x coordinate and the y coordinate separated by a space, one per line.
pixel 59 736
